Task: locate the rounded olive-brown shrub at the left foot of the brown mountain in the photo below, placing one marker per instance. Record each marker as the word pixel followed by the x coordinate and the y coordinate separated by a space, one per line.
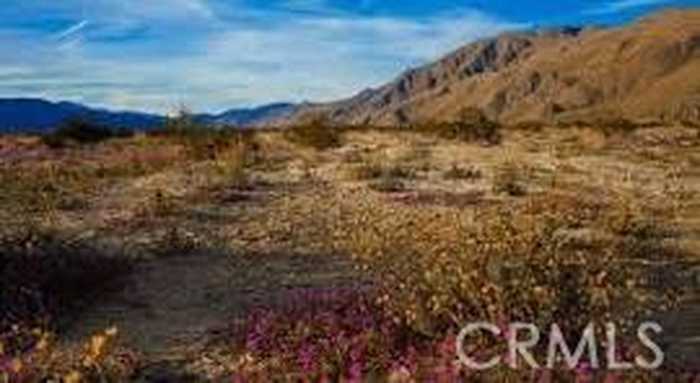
pixel 316 132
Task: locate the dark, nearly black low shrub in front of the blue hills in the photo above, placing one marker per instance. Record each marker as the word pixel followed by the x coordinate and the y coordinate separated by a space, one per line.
pixel 79 131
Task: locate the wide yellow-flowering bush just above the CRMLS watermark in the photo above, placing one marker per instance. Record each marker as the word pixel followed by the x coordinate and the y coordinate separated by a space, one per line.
pixel 439 271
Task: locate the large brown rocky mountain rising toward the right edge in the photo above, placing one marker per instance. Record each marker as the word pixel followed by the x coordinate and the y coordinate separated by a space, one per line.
pixel 650 69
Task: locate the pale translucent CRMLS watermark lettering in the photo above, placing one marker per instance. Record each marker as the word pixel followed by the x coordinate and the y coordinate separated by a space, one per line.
pixel 523 338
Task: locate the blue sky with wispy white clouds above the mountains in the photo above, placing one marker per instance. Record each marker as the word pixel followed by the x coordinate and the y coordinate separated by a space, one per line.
pixel 212 55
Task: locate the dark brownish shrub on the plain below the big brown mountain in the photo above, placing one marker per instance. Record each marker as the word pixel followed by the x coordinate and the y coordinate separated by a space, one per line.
pixel 471 125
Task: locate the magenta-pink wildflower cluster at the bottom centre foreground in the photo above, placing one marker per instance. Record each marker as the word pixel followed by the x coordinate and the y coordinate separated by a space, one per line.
pixel 339 334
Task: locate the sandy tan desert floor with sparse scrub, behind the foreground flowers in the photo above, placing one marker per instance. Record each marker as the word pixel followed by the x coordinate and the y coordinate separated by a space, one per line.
pixel 209 243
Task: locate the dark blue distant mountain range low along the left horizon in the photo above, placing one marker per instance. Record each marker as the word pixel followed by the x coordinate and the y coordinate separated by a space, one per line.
pixel 37 116
